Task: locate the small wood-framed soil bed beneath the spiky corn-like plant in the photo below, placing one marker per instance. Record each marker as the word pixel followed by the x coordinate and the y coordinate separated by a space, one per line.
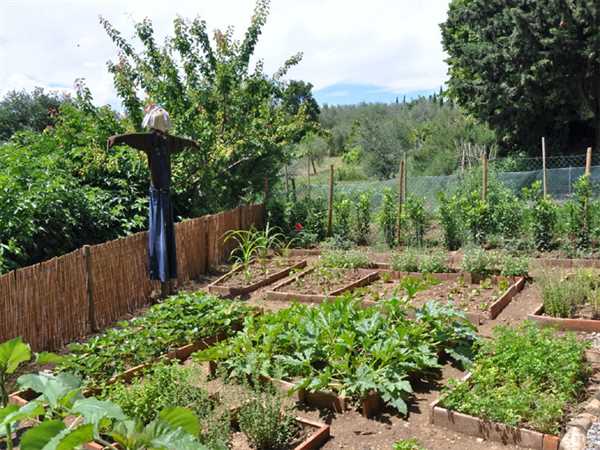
pixel 245 279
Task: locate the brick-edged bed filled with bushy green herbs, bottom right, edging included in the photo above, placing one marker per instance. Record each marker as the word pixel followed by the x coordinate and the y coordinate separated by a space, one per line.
pixel 521 386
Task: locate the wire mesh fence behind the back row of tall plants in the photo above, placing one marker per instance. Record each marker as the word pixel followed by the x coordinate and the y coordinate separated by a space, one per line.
pixel 560 181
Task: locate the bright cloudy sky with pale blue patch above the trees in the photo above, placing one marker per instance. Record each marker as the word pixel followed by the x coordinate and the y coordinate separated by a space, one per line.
pixel 353 50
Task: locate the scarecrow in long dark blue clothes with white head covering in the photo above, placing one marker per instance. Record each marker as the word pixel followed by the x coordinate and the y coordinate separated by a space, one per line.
pixel 158 146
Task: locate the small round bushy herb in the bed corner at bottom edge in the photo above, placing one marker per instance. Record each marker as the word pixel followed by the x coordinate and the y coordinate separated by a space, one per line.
pixel 265 423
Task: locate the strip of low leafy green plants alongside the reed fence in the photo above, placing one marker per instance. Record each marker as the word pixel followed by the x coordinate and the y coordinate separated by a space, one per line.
pixel 177 321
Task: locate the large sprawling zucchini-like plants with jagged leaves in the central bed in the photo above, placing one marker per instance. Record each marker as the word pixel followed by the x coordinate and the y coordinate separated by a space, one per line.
pixel 341 346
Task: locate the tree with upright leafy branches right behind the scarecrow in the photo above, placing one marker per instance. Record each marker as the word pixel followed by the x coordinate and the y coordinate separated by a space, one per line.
pixel 243 118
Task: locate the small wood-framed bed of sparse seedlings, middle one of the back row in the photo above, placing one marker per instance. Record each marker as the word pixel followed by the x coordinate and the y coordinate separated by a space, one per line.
pixel 317 284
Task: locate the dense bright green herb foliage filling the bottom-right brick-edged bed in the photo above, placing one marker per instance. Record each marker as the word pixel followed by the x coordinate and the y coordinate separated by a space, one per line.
pixel 526 376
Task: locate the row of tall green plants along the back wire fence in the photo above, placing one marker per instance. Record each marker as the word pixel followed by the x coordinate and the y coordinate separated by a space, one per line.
pixel 528 222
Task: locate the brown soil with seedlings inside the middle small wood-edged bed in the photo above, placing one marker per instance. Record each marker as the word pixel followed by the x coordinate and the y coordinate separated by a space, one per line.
pixel 322 281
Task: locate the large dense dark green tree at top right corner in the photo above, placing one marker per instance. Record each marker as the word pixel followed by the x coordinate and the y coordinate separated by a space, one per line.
pixel 527 68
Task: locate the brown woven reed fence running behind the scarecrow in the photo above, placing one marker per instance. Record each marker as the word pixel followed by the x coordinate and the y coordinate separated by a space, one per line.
pixel 63 299
